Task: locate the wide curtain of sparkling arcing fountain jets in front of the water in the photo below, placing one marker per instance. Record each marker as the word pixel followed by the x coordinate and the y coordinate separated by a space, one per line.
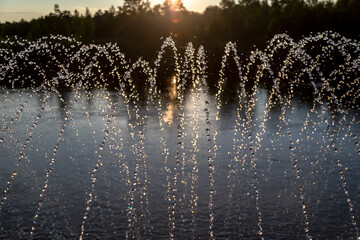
pixel 273 154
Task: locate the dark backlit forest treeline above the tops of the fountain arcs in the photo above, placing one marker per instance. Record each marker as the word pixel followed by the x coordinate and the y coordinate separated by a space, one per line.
pixel 138 28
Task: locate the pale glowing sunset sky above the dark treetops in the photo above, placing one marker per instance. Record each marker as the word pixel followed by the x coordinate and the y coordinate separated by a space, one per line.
pixel 14 10
